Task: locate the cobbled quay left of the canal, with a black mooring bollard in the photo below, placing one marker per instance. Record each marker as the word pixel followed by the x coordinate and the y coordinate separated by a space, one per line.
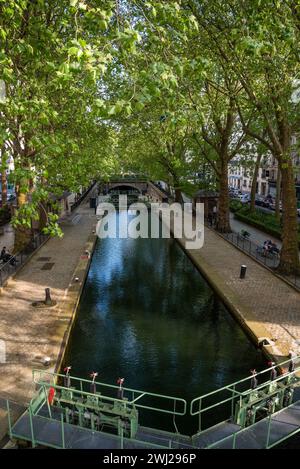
pixel 29 333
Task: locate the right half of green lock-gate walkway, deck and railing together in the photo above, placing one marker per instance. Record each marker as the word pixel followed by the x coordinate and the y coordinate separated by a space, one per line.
pixel 264 410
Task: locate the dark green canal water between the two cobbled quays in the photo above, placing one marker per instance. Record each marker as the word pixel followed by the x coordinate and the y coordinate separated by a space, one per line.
pixel 146 314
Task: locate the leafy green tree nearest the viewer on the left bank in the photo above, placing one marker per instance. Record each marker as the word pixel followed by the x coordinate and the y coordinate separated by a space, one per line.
pixel 53 58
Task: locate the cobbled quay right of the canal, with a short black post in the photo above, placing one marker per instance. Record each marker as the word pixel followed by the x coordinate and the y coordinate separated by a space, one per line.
pixel 266 303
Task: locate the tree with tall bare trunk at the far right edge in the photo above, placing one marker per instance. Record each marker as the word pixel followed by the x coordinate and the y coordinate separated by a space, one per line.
pixel 257 41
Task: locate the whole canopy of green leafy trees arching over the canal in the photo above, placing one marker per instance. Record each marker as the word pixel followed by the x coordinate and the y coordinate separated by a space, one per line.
pixel 166 88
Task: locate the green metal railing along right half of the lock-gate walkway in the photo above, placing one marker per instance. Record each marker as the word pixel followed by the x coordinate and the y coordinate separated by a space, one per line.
pixel 240 402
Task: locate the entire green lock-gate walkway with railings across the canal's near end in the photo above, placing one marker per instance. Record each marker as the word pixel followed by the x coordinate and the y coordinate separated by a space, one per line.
pixel 263 410
